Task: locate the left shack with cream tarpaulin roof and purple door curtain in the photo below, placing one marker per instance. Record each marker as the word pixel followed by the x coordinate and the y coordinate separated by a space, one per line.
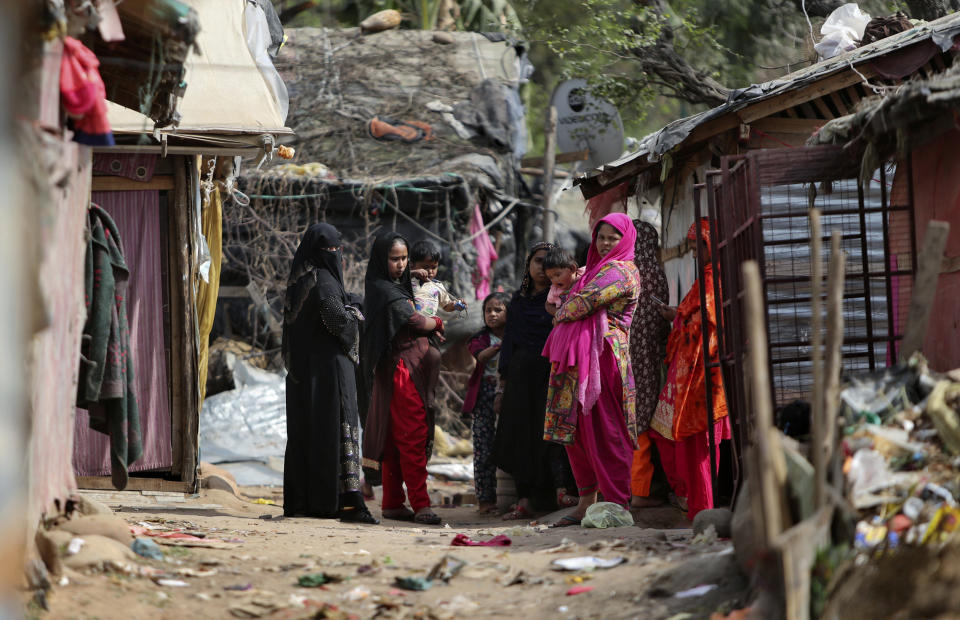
pixel 147 176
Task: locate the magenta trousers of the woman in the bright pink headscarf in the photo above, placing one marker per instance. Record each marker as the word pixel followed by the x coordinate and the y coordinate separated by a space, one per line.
pixel 602 453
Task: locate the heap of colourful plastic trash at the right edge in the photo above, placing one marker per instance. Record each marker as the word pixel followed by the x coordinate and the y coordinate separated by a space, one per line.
pixel 901 450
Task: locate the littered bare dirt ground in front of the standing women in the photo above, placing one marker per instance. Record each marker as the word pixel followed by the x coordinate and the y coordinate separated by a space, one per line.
pixel 256 570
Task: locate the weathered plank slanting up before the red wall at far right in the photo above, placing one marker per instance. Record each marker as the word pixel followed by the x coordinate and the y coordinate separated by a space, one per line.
pixel 929 264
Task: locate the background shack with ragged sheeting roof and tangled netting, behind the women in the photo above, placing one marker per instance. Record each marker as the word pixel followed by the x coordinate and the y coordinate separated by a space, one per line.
pixel 412 130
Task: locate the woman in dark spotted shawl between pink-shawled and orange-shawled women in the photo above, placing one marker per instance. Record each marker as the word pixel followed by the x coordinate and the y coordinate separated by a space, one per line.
pixel 648 343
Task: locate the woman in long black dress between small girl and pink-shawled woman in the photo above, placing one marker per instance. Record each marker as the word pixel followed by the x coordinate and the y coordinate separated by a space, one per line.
pixel 519 448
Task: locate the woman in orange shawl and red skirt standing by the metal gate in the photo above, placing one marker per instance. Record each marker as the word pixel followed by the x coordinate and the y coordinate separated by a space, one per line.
pixel 679 425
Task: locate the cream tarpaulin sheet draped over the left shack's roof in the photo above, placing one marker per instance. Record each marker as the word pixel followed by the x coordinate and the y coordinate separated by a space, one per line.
pixel 226 92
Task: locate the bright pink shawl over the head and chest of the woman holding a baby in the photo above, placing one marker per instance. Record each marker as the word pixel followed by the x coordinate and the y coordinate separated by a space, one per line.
pixel 580 343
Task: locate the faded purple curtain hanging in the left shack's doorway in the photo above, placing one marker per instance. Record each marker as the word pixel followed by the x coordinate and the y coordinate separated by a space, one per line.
pixel 137 215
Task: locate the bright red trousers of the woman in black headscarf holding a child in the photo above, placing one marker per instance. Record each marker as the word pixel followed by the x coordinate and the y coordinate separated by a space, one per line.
pixel 405 455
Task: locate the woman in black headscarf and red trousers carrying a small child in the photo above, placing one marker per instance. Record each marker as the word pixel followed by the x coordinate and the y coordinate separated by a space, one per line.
pixel 399 370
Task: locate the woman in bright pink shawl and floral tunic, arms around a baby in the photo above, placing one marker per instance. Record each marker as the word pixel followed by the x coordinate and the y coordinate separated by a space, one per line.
pixel 591 399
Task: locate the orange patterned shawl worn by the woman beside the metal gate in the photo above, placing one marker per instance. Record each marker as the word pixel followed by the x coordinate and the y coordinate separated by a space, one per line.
pixel 682 410
